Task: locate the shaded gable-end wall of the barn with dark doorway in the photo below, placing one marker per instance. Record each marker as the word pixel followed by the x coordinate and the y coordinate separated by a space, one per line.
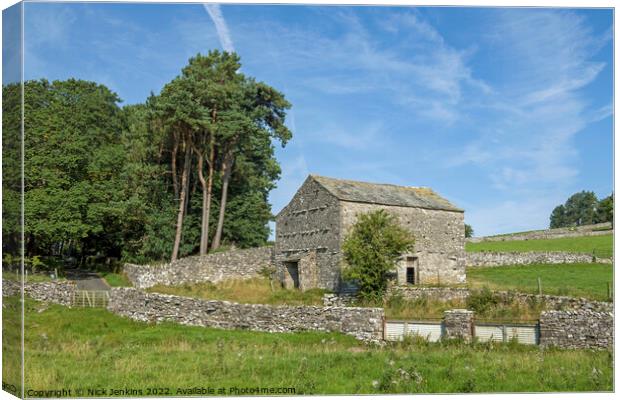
pixel 307 233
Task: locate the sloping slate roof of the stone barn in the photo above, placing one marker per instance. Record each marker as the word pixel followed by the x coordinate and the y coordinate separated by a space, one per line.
pixel 385 194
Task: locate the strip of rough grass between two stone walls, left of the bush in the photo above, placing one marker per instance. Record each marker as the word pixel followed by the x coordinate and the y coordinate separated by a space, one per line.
pixel 254 291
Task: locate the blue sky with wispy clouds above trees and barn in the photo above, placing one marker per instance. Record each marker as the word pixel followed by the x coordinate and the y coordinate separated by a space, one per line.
pixel 504 111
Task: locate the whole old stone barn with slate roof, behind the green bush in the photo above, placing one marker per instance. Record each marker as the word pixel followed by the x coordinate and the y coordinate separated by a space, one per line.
pixel 312 227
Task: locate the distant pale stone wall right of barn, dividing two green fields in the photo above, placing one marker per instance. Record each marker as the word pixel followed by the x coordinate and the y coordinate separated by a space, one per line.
pixel 498 259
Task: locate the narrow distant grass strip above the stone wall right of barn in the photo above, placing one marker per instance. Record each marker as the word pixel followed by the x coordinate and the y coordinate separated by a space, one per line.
pixel 602 246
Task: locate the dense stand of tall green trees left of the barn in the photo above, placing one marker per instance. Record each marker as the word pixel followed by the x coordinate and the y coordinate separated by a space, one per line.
pixel 142 182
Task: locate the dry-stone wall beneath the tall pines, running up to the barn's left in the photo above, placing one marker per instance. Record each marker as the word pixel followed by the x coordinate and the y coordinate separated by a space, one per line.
pixel 233 264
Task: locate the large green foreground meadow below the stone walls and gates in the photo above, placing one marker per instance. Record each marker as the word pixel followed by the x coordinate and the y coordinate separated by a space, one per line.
pixel 92 348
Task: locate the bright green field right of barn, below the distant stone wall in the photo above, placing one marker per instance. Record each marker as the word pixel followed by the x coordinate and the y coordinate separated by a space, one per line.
pixel 577 280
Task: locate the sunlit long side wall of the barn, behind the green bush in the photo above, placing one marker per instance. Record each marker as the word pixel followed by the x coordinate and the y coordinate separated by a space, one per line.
pixel 439 240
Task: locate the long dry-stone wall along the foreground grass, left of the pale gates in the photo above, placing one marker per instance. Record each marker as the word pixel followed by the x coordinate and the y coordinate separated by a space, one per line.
pixel 362 323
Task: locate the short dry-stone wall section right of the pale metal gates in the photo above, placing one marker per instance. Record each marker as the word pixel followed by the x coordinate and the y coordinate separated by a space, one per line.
pixel 577 329
